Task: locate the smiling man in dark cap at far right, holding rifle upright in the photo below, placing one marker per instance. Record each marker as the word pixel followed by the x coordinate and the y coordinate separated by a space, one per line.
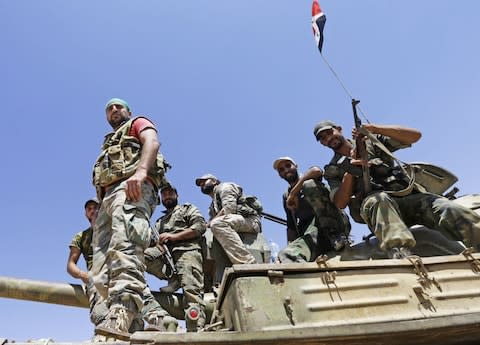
pixel 389 215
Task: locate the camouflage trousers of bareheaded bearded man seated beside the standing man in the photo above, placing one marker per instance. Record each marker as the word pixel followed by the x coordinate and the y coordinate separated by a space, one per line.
pixel 189 264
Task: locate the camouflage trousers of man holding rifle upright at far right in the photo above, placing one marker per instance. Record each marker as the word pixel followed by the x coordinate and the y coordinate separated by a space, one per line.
pixel 389 218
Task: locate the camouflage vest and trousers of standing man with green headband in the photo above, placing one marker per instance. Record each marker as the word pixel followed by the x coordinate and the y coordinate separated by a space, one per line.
pixel 122 230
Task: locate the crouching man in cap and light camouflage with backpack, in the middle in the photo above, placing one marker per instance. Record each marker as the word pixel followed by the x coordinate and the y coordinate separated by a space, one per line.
pixel 229 215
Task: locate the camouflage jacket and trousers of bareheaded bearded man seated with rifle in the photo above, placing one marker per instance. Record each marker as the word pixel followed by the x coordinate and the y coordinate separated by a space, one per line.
pixel 186 254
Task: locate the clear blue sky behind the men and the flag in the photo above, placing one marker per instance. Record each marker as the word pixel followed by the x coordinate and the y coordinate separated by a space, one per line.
pixel 231 85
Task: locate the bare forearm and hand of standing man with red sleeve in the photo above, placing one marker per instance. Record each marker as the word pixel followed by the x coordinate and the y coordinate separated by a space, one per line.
pixel 150 146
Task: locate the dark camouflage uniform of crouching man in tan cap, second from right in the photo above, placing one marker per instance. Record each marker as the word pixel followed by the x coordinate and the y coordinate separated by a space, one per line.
pixel 318 221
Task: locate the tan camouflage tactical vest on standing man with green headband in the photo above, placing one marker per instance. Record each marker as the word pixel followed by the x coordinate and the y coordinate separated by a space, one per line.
pixel 120 157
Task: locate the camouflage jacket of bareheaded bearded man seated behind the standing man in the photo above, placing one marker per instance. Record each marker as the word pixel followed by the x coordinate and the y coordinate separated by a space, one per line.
pixel 186 216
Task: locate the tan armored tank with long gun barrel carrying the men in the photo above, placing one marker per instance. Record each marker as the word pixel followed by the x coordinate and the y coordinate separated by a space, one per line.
pixel 358 297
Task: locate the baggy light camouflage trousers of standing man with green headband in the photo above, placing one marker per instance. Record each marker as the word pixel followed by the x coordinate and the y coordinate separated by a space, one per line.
pixel 120 236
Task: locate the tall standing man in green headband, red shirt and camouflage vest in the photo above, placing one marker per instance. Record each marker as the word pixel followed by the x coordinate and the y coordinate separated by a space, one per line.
pixel 127 175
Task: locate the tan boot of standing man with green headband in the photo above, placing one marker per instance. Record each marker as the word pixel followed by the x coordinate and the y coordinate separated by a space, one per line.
pixel 117 323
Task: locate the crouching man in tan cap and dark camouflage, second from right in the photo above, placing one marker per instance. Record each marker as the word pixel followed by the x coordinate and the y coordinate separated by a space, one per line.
pixel 315 226
